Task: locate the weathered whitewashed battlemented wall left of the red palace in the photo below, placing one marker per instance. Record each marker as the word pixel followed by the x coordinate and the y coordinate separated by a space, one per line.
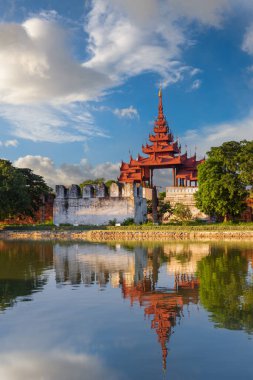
pixel 95 205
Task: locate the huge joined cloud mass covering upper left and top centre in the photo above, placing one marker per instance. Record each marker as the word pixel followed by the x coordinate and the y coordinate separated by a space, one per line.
pixel 125 38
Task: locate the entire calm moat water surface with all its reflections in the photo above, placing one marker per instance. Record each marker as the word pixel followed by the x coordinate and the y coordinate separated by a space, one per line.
pixel 179 310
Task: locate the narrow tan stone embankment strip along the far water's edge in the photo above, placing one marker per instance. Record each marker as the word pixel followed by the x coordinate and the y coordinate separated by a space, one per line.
pixel 127 235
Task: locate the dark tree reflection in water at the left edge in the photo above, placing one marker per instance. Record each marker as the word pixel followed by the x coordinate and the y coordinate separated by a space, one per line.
pixel 21 268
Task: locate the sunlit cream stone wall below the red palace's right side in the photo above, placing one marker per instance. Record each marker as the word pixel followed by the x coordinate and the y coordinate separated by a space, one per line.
pixel 184 195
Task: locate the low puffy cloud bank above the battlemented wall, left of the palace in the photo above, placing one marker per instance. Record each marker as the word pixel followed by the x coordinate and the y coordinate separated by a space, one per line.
pixel 67 174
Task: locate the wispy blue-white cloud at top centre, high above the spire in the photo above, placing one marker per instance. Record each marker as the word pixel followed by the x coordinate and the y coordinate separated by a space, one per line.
pixel 127 38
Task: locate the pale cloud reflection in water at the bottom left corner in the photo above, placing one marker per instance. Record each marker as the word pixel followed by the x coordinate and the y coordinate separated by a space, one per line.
pixel 53 366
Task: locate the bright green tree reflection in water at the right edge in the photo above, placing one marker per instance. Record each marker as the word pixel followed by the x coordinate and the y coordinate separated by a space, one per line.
pixel 225 291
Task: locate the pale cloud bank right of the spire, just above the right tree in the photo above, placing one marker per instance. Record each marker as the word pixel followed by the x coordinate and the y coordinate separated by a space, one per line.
pixel 215 135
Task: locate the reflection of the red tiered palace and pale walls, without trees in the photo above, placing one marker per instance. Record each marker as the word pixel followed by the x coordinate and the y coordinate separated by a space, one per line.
pixel 136 271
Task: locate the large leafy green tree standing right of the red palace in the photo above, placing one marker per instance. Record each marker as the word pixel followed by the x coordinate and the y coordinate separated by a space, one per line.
pixel 223 178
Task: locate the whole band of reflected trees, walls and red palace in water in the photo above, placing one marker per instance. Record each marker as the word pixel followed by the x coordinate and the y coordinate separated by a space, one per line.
pixel 217 276
